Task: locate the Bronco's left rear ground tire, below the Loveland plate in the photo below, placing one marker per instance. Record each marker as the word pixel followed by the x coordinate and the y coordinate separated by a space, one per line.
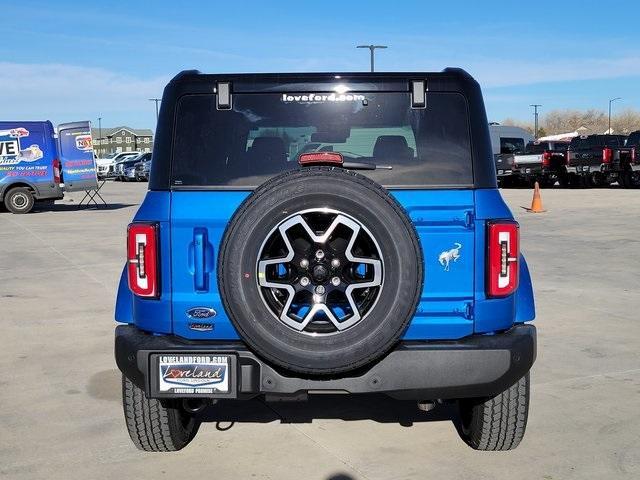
pixel 152 426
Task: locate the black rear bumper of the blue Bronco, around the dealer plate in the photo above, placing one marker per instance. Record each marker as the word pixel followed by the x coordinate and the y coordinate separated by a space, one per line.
pixel 476 366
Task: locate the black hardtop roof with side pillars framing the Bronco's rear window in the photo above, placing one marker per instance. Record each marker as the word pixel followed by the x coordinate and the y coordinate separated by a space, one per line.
pixel 192 82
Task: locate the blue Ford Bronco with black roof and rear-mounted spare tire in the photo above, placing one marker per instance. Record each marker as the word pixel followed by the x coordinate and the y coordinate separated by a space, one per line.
pixel 324 233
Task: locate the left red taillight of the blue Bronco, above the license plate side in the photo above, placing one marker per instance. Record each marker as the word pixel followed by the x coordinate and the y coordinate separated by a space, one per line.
pixel 142 259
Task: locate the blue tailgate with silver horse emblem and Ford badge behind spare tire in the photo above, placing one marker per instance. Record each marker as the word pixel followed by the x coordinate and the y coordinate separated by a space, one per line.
pixel 444 222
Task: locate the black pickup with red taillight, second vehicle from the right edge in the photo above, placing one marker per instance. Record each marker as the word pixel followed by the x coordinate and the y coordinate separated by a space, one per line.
pixel 595 160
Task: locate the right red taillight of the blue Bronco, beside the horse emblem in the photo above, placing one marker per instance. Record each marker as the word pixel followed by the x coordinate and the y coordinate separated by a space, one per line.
pixel 503 251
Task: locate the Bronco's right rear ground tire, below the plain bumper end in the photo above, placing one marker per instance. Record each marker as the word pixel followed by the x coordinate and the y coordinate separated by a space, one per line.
pixel 496 423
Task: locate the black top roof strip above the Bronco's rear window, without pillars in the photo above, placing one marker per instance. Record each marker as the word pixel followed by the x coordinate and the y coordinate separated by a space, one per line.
pixel 450 79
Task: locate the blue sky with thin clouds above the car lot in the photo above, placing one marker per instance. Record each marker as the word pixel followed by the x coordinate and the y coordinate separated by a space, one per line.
pixel 68 61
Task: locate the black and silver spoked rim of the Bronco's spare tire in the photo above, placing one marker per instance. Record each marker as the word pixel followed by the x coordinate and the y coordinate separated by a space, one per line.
pixel 320 271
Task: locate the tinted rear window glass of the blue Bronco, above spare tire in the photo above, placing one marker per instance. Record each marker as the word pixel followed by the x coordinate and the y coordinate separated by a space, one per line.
pixel 264 134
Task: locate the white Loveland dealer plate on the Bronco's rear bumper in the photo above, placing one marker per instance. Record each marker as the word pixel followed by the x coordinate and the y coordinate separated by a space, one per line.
pixel 195 373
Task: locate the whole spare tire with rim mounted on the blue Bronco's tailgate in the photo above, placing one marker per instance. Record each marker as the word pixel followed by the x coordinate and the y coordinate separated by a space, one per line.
pixel 320 271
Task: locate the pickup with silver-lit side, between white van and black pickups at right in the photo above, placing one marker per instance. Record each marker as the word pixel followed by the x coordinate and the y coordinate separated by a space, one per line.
pixel 544 162
